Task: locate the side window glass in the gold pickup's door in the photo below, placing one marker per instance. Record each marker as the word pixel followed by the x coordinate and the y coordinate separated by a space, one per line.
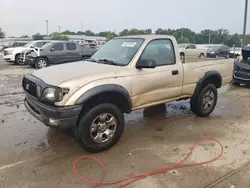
pixel 160 50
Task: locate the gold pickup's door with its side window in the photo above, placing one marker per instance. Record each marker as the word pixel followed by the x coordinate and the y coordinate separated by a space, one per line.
pixel 164 82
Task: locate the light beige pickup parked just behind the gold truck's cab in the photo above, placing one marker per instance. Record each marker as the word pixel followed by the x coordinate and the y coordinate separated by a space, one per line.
pixel 191 51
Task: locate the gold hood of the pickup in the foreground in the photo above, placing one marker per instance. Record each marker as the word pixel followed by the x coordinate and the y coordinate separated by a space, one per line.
pixel 55 75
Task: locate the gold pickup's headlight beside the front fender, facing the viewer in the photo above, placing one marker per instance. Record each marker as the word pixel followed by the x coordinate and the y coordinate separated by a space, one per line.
pixel 54 94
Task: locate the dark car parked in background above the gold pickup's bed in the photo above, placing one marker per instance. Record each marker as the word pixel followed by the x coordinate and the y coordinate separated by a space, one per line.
pixel 218 51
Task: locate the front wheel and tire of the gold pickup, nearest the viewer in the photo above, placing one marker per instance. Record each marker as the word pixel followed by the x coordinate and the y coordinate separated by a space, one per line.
pixel 87 139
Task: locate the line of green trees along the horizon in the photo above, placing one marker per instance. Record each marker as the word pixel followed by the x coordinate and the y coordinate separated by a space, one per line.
pixel 182 35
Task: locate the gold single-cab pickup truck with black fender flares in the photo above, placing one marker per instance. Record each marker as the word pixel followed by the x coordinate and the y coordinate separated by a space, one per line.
pixel 126 74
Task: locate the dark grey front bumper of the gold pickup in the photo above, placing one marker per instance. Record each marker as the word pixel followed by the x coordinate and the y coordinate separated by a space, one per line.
pixel 61 117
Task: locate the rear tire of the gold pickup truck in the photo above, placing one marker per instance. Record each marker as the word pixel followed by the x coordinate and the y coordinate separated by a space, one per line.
pixel 197 102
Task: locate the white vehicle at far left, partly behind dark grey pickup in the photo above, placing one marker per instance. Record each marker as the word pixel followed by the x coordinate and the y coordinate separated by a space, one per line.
pixel 13 54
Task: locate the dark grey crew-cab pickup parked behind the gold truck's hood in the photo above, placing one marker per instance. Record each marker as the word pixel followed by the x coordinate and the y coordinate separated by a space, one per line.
pixel 55 52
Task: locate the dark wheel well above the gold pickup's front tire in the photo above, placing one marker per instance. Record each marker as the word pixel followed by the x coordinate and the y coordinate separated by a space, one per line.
pixel 113 97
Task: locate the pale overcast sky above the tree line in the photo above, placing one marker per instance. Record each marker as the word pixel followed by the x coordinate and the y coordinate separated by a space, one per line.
pixel 19 17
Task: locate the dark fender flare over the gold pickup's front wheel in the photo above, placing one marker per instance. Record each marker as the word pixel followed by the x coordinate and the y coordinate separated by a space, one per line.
pixel 101 89
